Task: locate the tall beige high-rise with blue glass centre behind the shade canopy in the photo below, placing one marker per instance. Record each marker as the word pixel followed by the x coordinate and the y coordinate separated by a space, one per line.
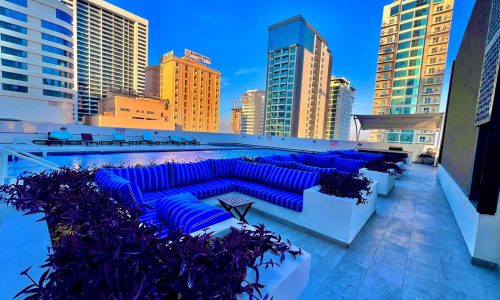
pixel 411 64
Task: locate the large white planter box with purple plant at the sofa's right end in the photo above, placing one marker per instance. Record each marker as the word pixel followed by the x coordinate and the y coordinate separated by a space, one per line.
pixel 348 201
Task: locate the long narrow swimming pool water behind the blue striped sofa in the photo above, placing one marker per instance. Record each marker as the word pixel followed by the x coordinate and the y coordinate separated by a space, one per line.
pixel 133 158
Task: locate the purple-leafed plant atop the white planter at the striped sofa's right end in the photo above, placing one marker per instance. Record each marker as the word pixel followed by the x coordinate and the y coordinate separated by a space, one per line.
pixel 347 186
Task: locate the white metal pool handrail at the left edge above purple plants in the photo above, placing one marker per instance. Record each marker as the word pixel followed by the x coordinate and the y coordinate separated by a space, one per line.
pixel 13 152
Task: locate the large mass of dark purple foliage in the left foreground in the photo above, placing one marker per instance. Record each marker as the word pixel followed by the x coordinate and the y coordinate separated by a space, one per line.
pixel 101 249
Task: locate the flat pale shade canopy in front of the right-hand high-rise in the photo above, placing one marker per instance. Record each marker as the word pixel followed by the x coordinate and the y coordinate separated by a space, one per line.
pixel 400 122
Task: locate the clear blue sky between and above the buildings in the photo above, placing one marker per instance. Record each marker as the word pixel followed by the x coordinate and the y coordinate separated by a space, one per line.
pixel 234 35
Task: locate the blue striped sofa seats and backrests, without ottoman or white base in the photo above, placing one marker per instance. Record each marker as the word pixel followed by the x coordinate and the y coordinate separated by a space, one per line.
pixel 145 187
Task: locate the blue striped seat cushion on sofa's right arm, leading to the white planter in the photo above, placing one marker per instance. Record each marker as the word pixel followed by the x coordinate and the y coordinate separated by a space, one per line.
pixel 286 199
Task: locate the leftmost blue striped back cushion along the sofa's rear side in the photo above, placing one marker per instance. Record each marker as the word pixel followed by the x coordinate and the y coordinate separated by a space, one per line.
pixel 148 179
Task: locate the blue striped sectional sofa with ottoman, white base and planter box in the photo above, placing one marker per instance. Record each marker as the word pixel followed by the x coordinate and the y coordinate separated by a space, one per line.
pixel 283 193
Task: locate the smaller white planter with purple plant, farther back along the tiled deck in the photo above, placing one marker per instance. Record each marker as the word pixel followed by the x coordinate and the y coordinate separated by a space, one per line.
pixel 384 173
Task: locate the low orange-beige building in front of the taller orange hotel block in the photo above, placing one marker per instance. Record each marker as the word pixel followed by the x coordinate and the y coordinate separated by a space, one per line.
pixel 131 111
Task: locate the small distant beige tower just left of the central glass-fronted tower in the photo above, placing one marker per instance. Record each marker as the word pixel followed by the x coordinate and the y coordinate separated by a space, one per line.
pixel 252 112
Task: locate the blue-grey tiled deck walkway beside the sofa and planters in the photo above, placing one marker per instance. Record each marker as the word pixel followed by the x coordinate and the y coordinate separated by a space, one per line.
pixel 411 249
